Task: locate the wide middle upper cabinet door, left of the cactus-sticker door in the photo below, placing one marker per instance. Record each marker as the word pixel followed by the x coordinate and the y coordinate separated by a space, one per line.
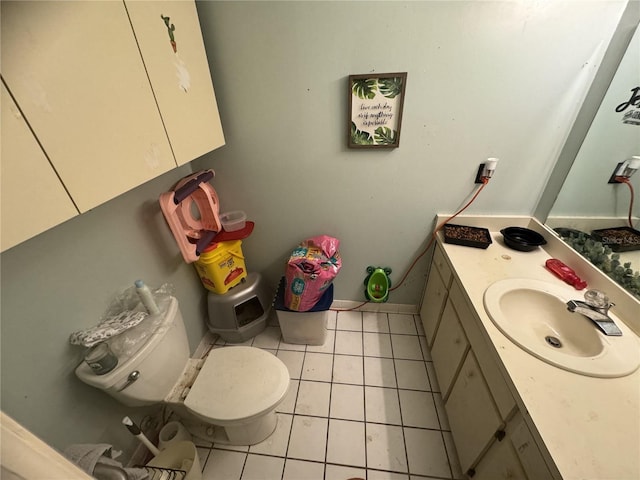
pixel 75 71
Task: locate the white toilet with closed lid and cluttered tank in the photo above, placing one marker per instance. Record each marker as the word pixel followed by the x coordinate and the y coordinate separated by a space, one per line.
pixel 229 397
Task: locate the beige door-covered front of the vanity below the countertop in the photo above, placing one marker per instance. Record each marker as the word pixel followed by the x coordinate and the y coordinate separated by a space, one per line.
pixel 491 437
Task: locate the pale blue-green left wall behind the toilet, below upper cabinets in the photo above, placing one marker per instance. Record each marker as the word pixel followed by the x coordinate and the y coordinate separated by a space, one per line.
pixel 62 281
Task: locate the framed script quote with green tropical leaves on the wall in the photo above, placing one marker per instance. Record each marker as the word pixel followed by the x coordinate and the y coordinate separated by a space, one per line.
pixel 375 109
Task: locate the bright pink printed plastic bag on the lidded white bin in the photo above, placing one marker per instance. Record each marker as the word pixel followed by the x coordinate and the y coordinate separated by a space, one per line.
pixel 311 268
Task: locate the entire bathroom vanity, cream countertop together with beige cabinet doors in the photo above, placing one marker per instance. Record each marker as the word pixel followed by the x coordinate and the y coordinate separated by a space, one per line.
pixel 514 414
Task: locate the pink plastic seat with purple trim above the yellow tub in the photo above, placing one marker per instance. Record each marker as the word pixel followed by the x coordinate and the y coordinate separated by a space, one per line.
pixel 191 210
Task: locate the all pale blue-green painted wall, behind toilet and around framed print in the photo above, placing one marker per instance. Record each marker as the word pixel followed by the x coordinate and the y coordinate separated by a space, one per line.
pixel 484 79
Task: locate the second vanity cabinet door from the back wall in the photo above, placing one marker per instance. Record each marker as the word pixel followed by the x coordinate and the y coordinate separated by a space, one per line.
pixel 449 348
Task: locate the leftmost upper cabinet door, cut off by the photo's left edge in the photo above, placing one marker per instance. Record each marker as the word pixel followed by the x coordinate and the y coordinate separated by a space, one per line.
pixel 33 198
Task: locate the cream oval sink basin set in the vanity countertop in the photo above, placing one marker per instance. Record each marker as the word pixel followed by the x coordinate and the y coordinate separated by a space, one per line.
pixel 533 314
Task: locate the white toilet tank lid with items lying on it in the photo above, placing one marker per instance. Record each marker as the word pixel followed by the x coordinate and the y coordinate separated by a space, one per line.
pixel 127 360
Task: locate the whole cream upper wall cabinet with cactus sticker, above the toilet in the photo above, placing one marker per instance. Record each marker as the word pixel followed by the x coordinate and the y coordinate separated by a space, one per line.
pixel 96 101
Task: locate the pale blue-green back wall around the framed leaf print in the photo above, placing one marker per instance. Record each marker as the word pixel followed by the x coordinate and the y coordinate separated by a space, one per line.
pixel 485 79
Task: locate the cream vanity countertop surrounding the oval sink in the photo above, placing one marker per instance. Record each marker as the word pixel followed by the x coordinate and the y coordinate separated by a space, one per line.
pixel 590 426
